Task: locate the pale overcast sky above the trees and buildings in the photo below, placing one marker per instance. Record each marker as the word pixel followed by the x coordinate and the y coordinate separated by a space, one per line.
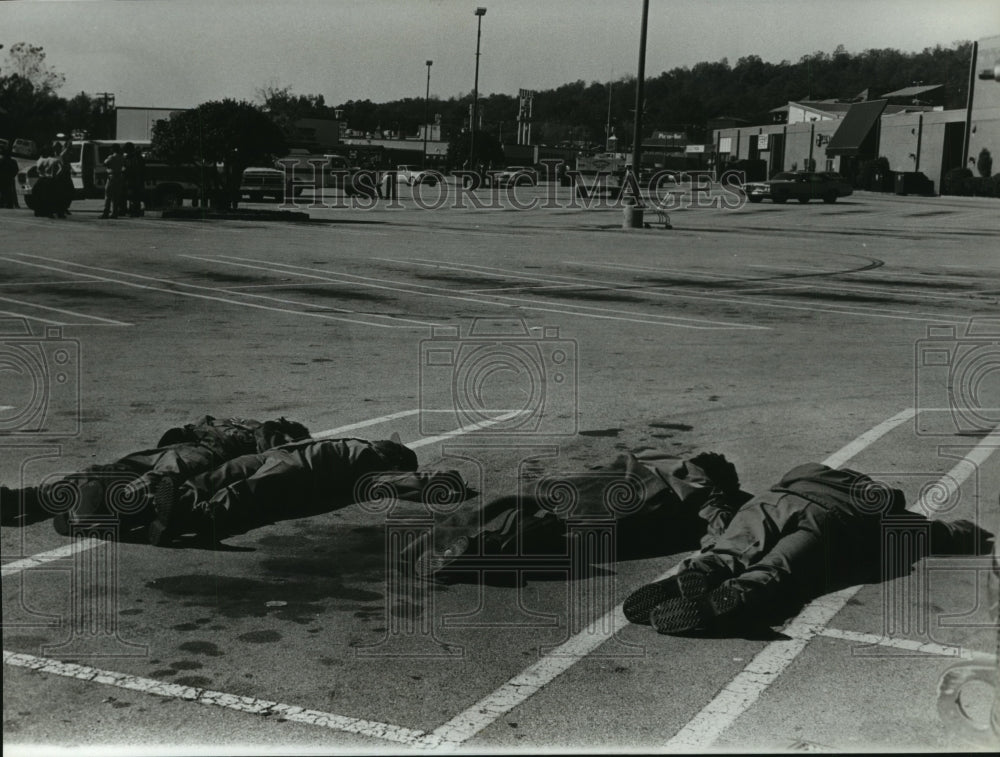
pixel 178 53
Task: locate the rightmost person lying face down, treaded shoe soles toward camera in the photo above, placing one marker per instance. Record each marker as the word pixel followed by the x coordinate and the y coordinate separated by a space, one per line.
pixel 820 529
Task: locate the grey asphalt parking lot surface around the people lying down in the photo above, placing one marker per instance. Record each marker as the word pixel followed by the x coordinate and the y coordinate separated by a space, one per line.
pixel 776 334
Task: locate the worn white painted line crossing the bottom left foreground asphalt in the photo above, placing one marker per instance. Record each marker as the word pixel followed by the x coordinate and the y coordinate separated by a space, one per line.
pixel 251 705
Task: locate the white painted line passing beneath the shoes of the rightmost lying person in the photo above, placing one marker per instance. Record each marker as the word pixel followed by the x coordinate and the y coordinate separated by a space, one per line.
pixel 517 690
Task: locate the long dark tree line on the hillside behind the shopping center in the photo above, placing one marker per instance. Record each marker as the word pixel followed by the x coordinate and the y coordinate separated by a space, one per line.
pixel 685 98
